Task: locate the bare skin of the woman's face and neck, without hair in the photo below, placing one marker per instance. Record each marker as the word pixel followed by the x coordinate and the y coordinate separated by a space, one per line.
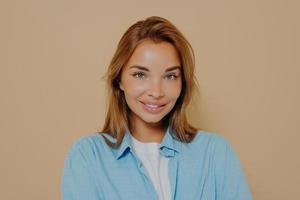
pixel 151 82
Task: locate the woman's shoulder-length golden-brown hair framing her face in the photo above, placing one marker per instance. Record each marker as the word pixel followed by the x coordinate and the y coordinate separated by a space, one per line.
pixel 158 30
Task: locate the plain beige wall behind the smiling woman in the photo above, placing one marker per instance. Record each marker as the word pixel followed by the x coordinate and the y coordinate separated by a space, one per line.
pixel 53 54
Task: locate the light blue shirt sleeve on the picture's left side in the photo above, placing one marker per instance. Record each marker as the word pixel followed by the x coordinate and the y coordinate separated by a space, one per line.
pixel 77 182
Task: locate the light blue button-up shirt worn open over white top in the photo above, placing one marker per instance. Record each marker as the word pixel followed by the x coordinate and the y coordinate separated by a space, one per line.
pixel 205 169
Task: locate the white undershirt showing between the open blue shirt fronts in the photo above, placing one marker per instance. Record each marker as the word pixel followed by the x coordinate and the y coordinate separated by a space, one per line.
pixel 156 166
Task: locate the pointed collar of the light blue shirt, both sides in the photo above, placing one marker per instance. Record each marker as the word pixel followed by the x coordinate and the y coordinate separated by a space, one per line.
pixel 168 146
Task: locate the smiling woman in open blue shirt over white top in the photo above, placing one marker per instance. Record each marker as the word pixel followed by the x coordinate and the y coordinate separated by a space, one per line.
pixel 147 149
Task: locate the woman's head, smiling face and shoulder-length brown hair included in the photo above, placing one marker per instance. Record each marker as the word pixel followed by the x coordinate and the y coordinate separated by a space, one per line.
pixel 138 74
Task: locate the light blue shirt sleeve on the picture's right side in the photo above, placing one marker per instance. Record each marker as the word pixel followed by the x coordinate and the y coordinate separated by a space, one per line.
pixel 231 182
